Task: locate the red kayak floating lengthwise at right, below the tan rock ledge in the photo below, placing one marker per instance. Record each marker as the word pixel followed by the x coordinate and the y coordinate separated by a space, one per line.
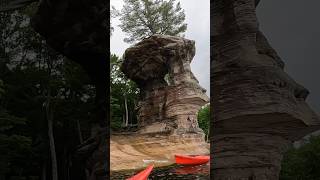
pixel 191 160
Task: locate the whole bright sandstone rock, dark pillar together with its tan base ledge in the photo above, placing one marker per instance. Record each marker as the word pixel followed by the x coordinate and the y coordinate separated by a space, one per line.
pixel 167 110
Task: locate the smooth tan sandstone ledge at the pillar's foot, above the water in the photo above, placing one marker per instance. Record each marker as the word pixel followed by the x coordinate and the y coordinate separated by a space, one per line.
pixel 135 151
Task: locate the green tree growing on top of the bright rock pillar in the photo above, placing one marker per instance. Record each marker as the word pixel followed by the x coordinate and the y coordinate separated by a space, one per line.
pixel 142 18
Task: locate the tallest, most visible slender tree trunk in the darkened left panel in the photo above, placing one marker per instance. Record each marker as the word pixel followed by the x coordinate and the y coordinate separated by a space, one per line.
pixel 49 114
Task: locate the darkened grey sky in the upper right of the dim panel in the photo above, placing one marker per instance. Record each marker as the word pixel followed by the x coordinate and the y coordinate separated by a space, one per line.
pixel 293 30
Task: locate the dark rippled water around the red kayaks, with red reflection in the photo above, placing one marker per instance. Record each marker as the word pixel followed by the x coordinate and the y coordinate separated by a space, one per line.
pixel 200 172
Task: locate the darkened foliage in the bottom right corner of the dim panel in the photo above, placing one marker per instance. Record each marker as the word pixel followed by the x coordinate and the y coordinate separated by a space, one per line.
pixel 302 163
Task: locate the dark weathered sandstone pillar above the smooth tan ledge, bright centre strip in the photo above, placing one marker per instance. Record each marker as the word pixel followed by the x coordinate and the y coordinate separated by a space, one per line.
pixel 165 105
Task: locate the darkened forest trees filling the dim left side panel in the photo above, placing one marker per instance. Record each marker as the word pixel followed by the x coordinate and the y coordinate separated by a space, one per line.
pixel 43 98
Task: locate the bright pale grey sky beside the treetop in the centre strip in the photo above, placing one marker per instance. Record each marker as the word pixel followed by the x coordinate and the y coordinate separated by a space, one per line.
pixel 198 20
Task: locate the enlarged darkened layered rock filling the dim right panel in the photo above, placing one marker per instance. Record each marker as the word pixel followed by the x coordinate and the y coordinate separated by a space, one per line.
pixel 257 108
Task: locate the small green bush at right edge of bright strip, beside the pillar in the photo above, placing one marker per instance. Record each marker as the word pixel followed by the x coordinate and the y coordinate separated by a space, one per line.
pixel 204 119
